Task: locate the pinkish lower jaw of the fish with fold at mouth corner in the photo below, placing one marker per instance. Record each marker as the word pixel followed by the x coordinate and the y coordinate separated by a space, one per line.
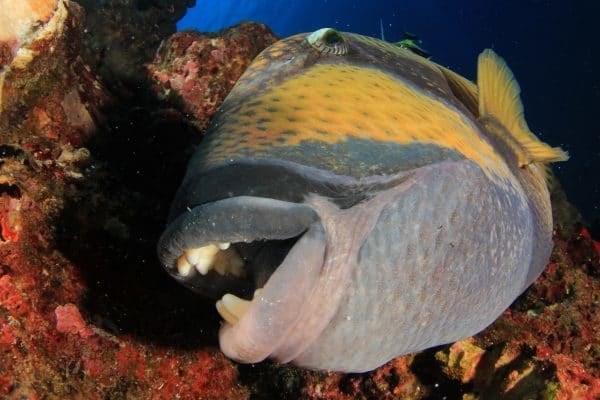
pixel 304 294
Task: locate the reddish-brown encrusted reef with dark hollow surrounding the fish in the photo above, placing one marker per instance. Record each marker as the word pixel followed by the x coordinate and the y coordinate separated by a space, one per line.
pixel 85 310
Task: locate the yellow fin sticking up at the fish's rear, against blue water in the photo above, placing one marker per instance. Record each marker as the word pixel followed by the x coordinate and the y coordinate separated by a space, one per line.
pixel 499 98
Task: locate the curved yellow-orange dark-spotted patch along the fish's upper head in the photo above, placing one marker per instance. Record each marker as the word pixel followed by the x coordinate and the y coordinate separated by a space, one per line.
pixel 332 102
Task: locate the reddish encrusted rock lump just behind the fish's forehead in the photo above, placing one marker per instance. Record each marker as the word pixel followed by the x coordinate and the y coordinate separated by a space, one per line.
pixel 197 70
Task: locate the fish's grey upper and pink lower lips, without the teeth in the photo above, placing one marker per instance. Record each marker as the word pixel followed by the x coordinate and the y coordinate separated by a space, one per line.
pixel 273 313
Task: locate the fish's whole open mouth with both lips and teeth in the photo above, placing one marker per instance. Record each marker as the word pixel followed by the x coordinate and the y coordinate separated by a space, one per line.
pixel 260 258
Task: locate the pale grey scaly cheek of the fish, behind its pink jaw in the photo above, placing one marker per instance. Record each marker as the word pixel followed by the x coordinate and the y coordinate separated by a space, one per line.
pixel 457 261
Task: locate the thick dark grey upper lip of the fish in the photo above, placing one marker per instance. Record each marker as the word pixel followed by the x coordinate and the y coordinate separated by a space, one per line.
pixel 237 219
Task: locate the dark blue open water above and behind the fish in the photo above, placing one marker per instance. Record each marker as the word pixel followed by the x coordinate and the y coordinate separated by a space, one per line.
pixel 552 47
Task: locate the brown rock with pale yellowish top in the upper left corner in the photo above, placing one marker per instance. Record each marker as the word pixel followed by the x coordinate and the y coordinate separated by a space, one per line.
pixel 48 96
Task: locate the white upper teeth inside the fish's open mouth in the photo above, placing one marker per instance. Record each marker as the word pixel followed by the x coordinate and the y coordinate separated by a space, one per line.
pixel 221 257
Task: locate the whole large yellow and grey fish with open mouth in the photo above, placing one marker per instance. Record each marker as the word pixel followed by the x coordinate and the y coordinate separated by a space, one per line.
pixel 353 201
